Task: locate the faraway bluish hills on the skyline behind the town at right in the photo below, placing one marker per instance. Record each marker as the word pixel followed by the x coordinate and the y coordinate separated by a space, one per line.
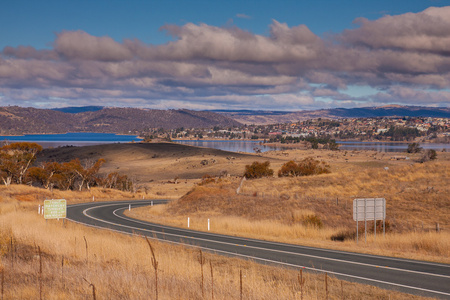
pixel 272 117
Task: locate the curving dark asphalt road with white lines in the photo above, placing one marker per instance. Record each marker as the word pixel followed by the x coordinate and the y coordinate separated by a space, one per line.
pixel 410 276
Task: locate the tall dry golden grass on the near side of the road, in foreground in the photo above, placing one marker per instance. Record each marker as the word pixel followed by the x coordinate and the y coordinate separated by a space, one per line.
pixel 120 267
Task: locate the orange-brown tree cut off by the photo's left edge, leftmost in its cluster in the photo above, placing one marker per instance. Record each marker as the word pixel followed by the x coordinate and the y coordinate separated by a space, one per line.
pixel 16 159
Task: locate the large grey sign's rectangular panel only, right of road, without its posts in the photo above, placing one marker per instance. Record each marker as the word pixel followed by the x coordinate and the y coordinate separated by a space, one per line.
pixel 367 209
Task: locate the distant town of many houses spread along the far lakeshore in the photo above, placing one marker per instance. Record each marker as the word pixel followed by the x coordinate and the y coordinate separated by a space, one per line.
pixel 406 129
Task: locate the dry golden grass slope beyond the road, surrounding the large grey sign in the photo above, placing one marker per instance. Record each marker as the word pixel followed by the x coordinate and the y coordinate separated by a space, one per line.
pixel 286 209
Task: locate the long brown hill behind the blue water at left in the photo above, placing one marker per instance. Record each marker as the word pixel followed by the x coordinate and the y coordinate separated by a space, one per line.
pixel 21 120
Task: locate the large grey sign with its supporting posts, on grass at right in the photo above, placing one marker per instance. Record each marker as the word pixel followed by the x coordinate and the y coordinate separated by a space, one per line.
pixel 367 209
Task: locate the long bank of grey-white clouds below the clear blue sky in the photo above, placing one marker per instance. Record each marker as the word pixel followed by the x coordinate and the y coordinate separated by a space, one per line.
pixel 204 66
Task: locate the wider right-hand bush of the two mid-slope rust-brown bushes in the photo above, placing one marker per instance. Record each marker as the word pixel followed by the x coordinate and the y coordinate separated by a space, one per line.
pixel 306 167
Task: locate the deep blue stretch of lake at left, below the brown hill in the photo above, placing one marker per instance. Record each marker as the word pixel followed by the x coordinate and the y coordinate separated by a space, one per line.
pixel 72 138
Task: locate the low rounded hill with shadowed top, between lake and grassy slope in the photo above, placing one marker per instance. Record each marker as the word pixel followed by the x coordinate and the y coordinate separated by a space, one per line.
pixel 147 162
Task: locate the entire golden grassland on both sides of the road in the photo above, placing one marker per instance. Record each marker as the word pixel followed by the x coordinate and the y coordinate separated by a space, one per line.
pixel 283 209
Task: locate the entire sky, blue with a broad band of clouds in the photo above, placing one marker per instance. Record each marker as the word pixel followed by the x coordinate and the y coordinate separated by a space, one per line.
pixel 260 55
